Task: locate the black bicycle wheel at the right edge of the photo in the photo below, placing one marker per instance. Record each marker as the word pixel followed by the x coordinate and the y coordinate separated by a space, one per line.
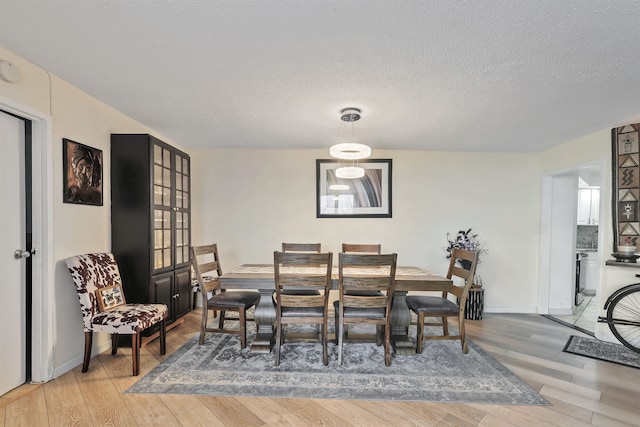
pixel 623 317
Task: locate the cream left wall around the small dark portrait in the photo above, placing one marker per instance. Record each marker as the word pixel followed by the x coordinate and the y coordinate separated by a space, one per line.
pixel 75 229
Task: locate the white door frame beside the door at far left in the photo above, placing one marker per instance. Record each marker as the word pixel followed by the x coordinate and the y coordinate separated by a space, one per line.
pixel 42 220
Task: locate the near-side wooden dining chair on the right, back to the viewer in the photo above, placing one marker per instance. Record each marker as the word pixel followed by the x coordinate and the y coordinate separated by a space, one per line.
pixel 367 274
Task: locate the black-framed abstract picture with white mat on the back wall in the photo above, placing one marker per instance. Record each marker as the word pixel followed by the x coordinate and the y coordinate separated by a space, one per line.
pixel 366 197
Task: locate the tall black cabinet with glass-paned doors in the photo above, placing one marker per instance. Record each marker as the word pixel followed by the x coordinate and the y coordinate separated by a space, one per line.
pixel 150 220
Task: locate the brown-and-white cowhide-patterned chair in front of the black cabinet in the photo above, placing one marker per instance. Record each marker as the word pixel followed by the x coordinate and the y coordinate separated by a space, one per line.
pixel 91 272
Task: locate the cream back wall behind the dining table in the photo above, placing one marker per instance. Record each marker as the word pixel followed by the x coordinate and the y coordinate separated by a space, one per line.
pixel 249 202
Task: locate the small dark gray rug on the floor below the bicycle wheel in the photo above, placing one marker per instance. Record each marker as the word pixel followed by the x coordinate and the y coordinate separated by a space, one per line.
pixel 602 350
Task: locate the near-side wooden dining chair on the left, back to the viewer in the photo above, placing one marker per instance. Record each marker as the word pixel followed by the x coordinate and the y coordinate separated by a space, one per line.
pixel 302 271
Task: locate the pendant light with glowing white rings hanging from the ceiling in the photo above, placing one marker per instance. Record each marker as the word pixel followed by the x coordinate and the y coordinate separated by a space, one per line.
pixel 351 150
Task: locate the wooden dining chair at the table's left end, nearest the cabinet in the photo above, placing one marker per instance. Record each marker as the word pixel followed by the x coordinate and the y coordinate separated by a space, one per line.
pixel 206 265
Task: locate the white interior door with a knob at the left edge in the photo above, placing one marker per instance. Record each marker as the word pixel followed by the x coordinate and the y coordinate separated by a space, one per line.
pixel 12 230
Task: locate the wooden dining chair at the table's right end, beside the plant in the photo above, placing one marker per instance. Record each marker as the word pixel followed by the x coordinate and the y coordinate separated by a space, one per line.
pixel 441 307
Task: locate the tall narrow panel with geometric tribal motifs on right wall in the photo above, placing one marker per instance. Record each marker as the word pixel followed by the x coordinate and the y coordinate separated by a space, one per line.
pixel 625 143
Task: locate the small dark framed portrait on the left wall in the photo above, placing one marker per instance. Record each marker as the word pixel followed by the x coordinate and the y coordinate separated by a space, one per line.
pixel 82 174
